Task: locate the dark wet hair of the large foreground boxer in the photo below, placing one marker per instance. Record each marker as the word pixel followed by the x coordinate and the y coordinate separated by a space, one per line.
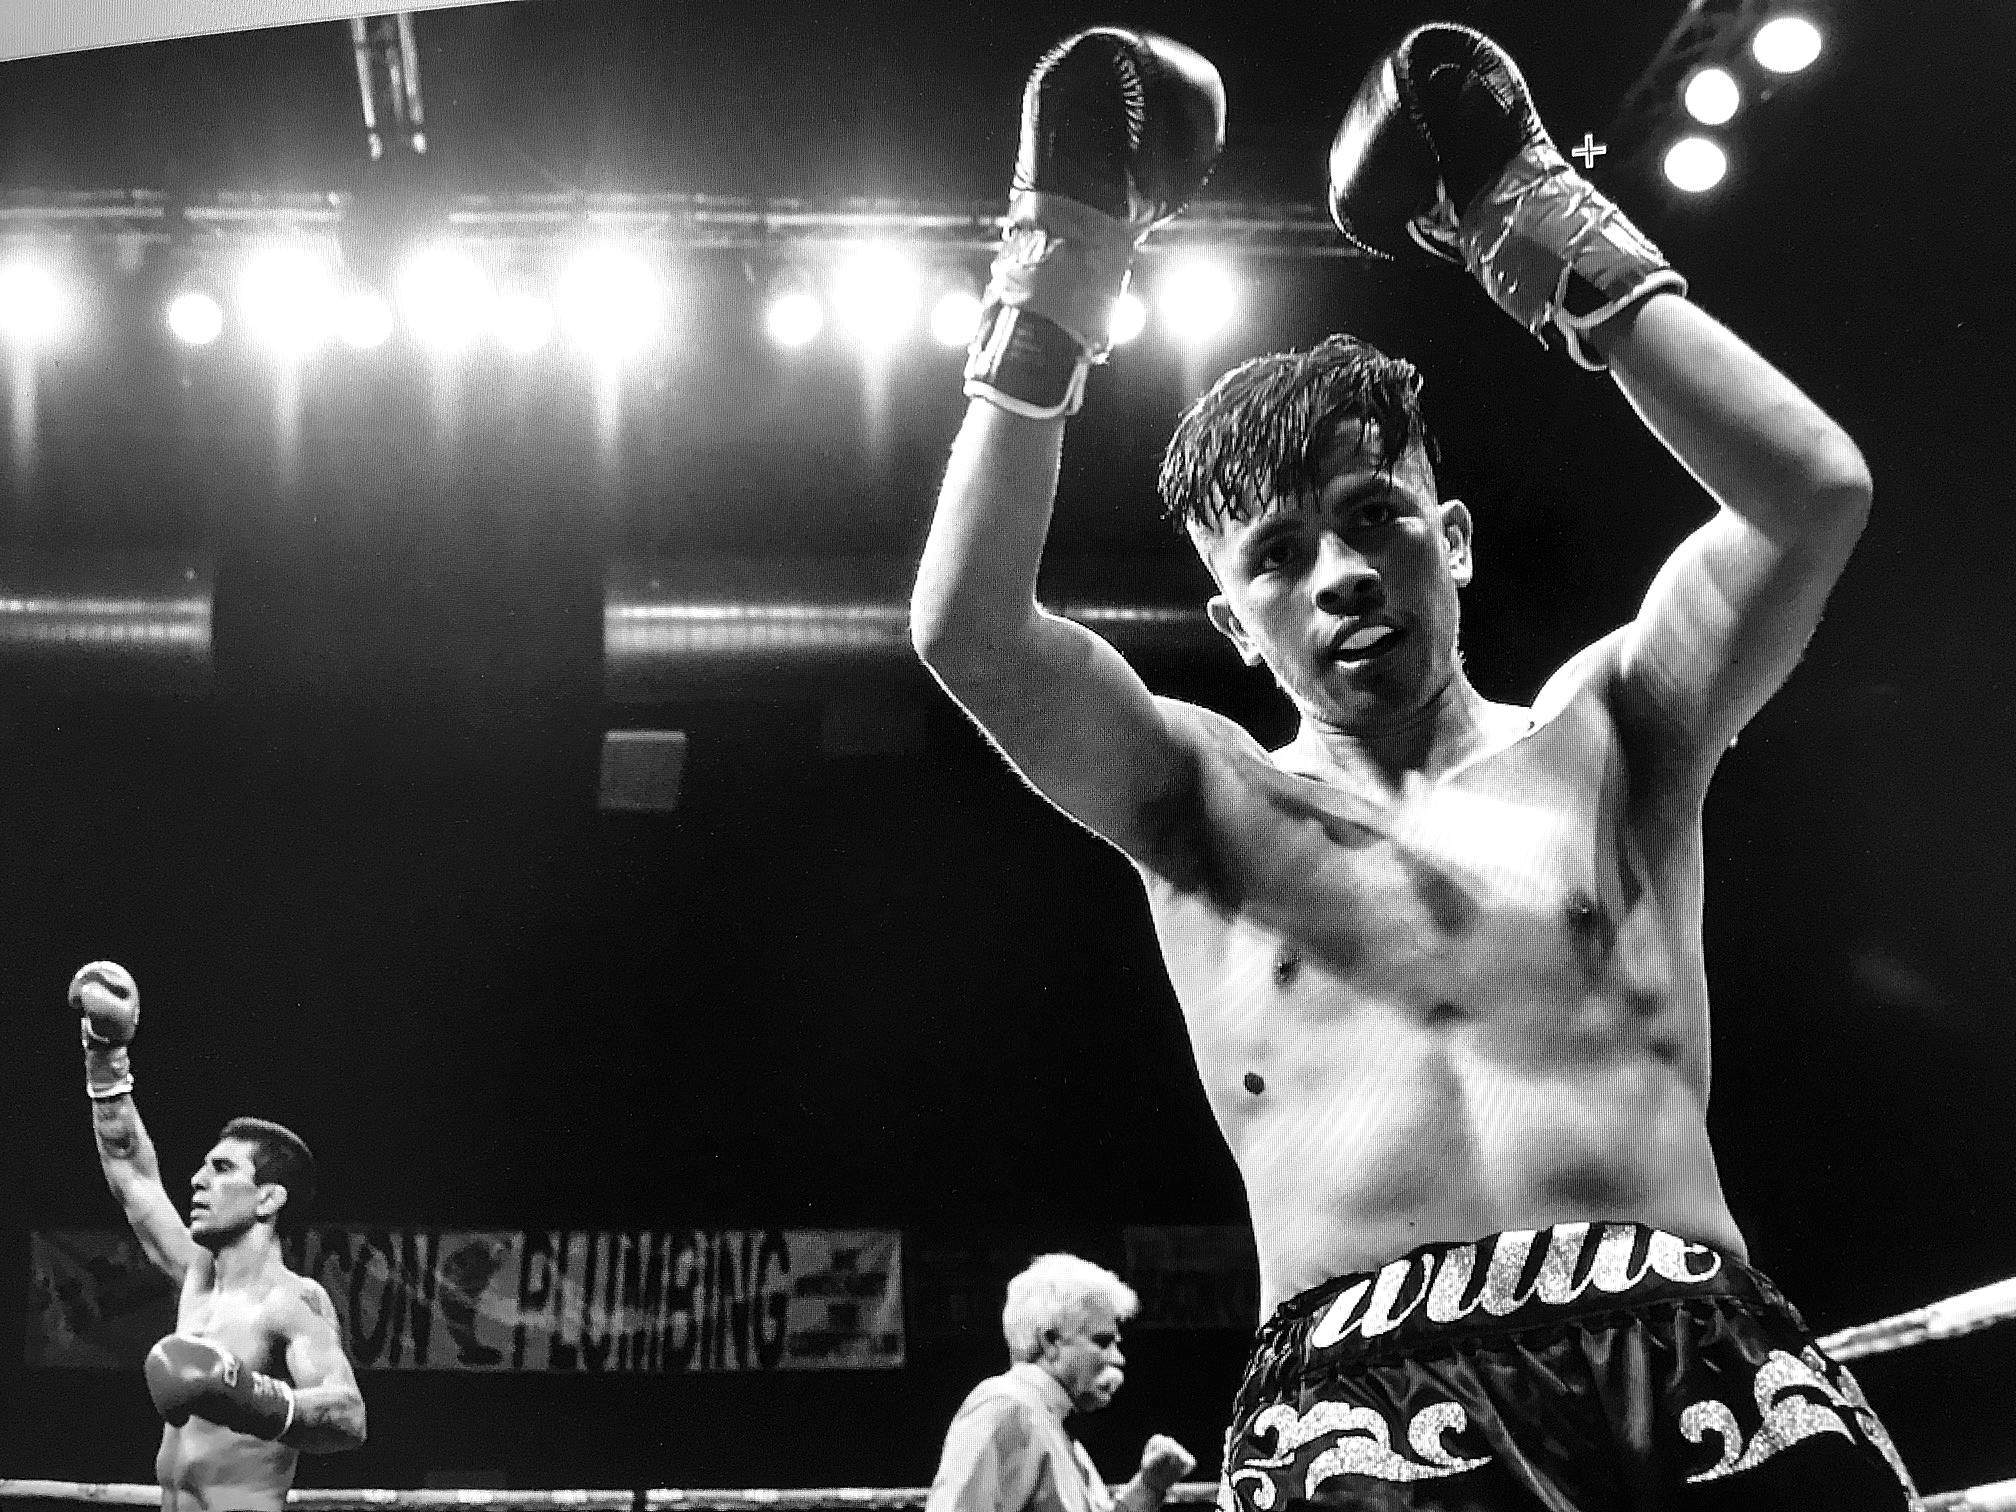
pixel 1259 432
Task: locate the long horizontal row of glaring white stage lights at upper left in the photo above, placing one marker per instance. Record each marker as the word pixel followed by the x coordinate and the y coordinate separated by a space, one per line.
pixel 610 303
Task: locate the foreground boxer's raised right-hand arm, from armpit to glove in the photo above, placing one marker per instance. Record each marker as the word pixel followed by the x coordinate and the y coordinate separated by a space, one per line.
pixel 1442 150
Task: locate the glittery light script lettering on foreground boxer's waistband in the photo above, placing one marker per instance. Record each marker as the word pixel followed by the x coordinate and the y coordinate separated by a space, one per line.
pixel 1446 1283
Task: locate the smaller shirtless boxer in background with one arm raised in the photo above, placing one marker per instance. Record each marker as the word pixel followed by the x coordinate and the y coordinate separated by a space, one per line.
pixel 233 1426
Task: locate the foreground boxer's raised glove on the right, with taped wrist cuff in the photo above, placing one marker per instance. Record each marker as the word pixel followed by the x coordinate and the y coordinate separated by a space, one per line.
pixel 1442 146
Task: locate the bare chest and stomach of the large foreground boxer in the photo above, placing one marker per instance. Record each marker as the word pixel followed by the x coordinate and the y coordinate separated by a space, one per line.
pixel 1465 1007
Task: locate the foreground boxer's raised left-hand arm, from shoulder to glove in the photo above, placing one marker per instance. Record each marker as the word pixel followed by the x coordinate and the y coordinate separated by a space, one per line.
pixel 1120 130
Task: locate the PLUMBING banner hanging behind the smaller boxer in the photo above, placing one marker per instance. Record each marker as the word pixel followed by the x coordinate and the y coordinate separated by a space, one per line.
pixel 527 1301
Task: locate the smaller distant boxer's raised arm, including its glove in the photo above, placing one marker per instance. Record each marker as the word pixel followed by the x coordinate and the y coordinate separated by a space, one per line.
pixel 108 1003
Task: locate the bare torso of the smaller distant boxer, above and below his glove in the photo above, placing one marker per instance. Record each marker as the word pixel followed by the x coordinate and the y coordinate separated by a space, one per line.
pixel 205 1467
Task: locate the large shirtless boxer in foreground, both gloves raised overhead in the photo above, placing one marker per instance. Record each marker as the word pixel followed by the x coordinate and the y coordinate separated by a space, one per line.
pixel 1440 959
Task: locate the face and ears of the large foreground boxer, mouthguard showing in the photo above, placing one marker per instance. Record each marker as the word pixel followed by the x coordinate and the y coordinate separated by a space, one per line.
pixel 1350 596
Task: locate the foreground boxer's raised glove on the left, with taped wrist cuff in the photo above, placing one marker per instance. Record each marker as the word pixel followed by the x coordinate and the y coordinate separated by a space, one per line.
pixel 1120 130
